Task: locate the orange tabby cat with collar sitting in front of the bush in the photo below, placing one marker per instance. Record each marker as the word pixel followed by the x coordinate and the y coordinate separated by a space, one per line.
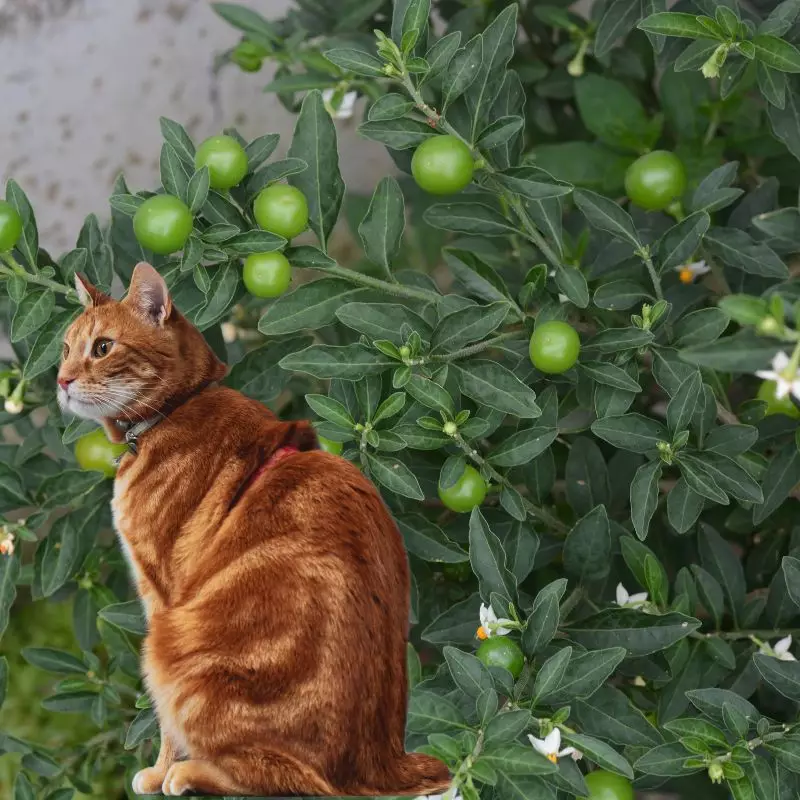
pixel 274 580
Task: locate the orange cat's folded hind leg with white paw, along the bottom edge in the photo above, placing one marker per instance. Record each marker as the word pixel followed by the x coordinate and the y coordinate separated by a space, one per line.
pixel 264 772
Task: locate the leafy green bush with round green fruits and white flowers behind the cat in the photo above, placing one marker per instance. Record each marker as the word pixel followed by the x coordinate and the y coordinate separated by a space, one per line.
pixel 568 355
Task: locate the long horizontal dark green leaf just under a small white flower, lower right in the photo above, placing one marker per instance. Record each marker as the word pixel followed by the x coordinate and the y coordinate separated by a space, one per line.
pixel 639 633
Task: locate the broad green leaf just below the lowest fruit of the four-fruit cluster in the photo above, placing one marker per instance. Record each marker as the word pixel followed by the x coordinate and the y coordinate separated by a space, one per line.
pixel 309 306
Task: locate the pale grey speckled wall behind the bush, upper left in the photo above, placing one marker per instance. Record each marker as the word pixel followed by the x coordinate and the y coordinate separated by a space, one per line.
pixel 83 83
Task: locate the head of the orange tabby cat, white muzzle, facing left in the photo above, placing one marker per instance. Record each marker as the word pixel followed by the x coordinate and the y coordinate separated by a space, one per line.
pixel 128 359
